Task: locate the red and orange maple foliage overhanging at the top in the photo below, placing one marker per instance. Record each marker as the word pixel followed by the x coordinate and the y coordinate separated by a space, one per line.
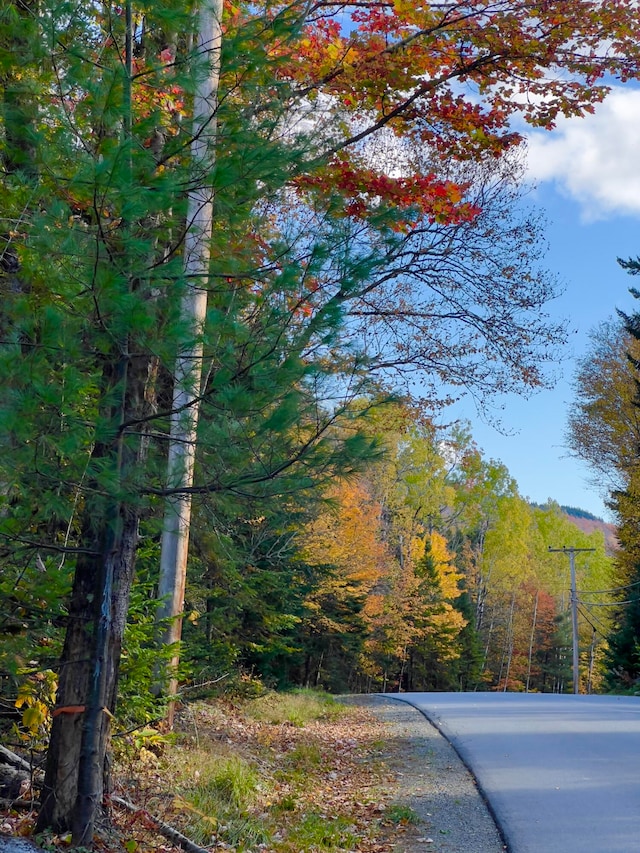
pixel 450 76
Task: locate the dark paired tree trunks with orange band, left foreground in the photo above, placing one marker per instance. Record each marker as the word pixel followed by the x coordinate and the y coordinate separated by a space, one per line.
pixel 86 700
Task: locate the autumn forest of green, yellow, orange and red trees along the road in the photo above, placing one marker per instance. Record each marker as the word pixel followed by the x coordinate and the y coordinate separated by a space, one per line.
pixel 250 252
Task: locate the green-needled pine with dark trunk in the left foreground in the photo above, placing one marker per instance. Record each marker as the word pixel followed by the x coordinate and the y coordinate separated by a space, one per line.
pixel 91 333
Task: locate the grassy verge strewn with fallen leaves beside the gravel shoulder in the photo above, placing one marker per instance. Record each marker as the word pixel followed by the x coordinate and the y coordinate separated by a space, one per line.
pixel 280 773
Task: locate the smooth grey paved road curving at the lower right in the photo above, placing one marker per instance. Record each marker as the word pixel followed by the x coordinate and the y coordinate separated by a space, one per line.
pixel 561 773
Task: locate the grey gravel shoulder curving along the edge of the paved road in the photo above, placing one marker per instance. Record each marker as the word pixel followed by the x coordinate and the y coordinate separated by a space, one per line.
pixel 433 781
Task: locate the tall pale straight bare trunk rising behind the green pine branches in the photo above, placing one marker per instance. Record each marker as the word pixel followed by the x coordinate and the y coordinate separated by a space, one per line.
pixel 188 370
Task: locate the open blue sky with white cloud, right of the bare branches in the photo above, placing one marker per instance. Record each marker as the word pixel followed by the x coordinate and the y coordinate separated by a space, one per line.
pixel 586 174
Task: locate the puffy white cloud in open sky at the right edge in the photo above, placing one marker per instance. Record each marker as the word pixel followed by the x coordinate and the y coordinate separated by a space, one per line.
pixel 595 160
